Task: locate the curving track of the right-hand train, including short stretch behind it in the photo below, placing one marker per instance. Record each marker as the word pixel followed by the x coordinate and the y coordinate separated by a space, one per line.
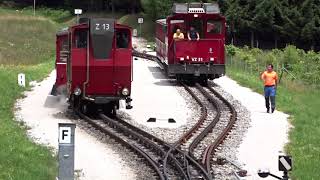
pixel 216 121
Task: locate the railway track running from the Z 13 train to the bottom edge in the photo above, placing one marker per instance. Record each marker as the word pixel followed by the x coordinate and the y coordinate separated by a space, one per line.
pixel 167 161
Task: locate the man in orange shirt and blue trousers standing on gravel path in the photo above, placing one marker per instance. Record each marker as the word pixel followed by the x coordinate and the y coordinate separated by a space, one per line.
pixel 270 79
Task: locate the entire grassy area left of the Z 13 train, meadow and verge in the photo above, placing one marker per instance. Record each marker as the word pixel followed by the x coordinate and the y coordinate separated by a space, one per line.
pixel 26 46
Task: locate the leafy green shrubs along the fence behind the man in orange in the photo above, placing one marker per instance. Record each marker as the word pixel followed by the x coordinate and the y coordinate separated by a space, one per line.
pixel 304 65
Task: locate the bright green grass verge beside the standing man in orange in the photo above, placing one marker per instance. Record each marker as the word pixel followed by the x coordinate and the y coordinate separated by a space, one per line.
pixel 302 103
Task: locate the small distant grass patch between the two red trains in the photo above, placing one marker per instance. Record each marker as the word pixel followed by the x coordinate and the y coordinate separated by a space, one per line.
pixel 147 28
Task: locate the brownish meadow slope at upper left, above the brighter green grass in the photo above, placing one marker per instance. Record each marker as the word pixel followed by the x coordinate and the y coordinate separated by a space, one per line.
pixel 25 39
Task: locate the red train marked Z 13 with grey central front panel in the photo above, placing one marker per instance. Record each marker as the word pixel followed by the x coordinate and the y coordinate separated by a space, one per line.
pixel 94 64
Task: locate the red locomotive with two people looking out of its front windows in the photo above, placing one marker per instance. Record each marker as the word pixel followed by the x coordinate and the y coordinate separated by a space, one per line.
pixel 186 59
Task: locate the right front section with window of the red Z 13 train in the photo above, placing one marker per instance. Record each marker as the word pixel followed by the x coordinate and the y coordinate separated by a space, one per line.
pixel 123 58
